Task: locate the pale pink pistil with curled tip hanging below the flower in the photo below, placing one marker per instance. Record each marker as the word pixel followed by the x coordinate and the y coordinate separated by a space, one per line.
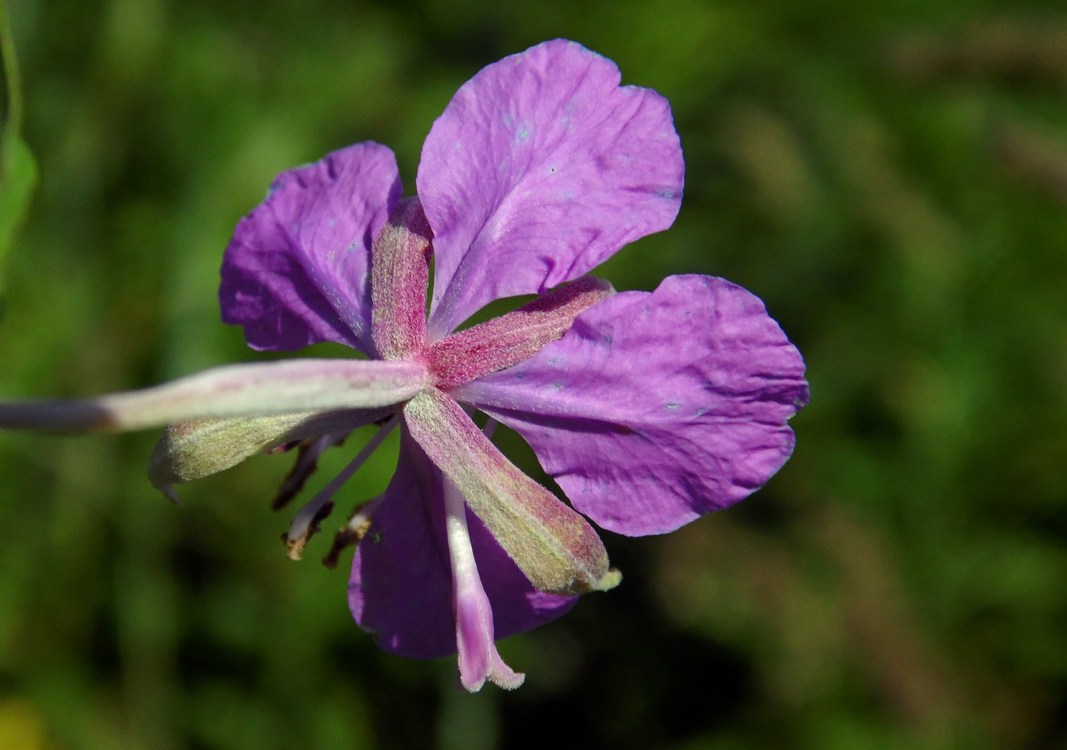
pixel 479 658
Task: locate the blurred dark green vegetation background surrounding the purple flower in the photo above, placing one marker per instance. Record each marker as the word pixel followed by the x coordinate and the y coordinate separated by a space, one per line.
pixel 889 177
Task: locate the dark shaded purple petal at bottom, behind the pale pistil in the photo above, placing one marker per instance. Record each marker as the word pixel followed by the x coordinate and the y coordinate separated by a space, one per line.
pixel 402 584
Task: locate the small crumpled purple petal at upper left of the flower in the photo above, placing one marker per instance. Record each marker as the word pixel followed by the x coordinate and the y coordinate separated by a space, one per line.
pixel 297 270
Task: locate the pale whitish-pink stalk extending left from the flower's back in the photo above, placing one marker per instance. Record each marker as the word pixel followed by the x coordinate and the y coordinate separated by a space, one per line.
pixel 233 391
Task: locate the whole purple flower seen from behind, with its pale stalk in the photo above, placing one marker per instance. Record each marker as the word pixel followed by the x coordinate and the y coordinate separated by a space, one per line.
pixel 649 409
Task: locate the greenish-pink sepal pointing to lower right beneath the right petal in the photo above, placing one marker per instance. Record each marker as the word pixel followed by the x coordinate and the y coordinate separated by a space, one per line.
pixel 553 546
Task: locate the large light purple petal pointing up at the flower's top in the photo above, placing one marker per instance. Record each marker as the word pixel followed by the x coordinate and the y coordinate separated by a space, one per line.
pixel 542 168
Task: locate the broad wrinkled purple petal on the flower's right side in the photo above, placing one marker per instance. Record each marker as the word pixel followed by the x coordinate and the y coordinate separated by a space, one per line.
pixel 657 408
